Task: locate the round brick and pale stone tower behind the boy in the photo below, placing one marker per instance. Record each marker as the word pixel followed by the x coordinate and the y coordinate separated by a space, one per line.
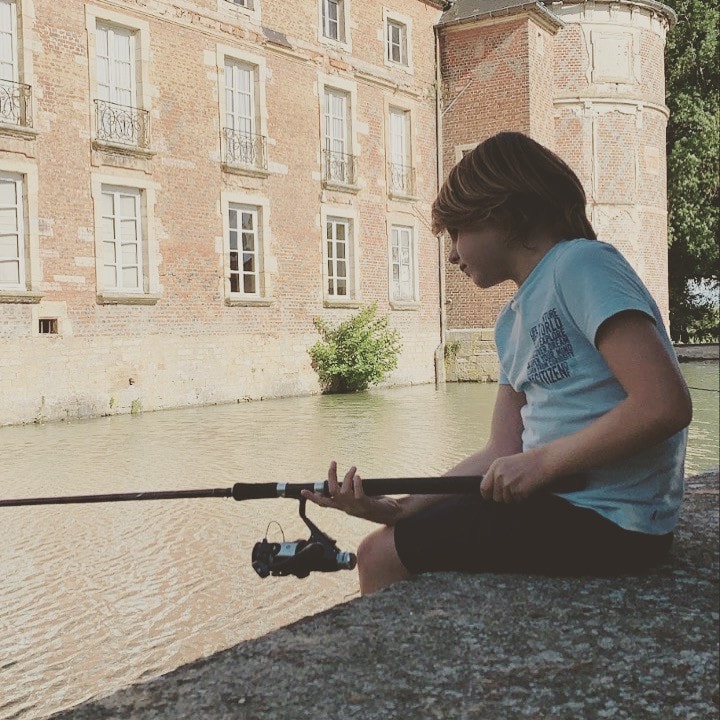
pixel 610 121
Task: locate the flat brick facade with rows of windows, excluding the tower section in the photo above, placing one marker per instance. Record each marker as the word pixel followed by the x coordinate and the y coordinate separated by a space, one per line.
pixel 186 184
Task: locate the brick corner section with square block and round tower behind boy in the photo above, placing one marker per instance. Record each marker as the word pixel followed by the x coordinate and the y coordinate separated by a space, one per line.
pixel 587 80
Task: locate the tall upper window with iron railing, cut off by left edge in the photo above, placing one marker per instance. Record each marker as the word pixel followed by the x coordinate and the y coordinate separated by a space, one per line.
pixel 14 95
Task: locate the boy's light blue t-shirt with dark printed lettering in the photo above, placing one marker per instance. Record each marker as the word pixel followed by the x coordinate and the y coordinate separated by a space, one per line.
pixel 546 345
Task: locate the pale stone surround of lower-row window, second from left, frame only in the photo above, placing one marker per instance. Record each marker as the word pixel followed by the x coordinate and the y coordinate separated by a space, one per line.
pixel 151 280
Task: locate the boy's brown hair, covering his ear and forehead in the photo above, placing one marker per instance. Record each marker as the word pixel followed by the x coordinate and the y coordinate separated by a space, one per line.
pixel 516 184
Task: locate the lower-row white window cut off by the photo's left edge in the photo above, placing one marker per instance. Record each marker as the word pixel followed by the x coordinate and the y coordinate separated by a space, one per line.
pixel 12 233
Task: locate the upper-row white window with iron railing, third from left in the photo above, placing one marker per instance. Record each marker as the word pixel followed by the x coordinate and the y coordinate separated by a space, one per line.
pixel 243 145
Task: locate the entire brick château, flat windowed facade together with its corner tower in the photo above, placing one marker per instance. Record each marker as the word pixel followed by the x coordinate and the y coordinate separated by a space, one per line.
pixel 186 184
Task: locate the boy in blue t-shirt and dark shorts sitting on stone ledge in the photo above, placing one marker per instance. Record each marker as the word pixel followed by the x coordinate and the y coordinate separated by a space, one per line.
pixel 583 470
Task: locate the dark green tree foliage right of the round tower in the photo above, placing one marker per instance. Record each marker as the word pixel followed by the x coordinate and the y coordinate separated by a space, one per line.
pixel 693 145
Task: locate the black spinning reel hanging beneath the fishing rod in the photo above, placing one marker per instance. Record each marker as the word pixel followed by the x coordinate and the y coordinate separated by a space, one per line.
pixel 318 553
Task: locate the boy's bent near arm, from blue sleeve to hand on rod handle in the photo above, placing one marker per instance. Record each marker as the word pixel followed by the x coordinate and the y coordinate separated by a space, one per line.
pixel 656 407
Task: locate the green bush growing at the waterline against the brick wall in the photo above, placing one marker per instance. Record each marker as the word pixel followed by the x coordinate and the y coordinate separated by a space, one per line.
pixel 357 353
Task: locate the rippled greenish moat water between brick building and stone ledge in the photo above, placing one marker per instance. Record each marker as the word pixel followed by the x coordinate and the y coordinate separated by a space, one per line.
pixel 95 597
